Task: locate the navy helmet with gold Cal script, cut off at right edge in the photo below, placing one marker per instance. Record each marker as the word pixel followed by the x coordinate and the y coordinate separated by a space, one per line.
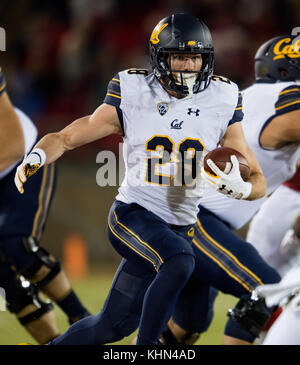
pixel 278 59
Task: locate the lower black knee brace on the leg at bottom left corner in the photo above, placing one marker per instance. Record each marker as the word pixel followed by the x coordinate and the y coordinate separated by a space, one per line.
pixel 27 295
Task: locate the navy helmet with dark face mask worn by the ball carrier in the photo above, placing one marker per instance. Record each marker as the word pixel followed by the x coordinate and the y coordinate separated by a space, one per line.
pixel 181 33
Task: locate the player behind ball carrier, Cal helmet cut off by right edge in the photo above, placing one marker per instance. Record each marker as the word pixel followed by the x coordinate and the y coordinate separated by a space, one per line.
pixel 271 127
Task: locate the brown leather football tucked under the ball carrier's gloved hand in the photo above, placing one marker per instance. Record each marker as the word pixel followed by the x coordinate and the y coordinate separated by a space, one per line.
pixel 221 157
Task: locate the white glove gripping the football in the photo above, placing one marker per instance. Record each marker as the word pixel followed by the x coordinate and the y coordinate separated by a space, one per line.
pixel 231 184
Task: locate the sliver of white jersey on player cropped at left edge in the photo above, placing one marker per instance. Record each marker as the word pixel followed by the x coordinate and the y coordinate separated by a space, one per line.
pixel 30 135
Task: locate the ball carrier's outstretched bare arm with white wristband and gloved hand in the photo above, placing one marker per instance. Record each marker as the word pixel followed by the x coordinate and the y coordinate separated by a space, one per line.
pixel 103 122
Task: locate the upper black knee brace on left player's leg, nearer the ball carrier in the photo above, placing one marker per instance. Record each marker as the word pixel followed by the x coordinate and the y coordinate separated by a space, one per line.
pixel 42 258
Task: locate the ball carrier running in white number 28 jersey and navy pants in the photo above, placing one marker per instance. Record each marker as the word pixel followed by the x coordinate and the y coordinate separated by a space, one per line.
pixel 177 113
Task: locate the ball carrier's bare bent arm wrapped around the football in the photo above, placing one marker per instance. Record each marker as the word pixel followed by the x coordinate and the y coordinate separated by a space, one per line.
pixel 234 138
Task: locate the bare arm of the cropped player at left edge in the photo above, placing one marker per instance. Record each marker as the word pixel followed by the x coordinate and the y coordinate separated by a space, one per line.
pixel 12 142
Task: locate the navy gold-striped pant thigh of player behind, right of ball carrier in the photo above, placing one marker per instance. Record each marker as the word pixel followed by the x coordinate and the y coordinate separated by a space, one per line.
pixel 225 261
